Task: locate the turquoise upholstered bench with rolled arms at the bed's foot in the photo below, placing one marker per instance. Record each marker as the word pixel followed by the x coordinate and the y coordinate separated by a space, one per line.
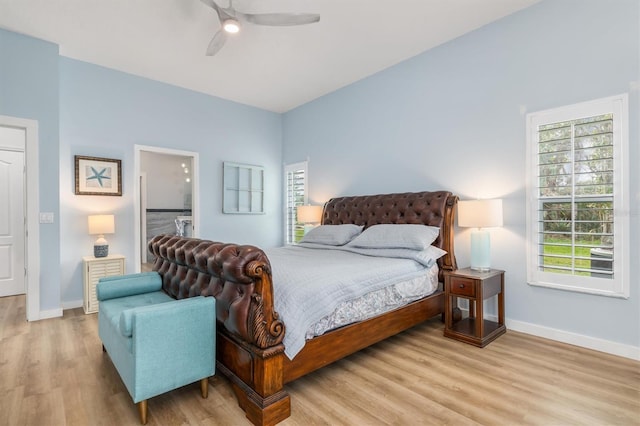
pixel 156 343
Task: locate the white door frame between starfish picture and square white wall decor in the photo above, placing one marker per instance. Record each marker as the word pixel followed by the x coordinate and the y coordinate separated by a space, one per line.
pixel 195 197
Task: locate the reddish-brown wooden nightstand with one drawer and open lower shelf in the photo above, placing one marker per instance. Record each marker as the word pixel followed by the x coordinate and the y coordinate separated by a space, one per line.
pixel 474 286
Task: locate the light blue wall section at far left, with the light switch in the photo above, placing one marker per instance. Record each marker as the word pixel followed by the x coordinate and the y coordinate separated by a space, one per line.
pixel 29 89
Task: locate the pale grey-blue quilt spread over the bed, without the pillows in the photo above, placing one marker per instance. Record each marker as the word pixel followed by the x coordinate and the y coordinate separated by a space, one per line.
pixel 306 290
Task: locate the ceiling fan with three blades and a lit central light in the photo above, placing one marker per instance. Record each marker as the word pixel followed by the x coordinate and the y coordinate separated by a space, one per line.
pixel 230 19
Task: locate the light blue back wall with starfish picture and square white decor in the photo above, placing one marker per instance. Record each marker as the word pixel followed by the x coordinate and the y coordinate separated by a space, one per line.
pixel 104 113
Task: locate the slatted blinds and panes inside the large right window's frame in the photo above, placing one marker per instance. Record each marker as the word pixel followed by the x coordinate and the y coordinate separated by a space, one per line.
pixel 576 190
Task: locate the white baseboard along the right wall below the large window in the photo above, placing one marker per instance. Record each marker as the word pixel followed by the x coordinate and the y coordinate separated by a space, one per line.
pixel 601 345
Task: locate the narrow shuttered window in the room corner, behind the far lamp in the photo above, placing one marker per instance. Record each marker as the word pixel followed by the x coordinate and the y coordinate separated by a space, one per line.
pixel 295 195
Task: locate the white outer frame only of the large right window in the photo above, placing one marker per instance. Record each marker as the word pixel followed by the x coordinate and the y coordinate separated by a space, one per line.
pixel 619 285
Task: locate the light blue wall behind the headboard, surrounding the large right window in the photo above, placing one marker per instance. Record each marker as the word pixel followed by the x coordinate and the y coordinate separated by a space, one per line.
pixel 454 118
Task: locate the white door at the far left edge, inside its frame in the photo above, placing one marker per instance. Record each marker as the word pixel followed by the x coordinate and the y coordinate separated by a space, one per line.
pixel 12 235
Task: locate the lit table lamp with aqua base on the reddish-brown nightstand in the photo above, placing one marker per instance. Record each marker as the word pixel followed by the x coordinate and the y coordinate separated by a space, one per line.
pixel 480 214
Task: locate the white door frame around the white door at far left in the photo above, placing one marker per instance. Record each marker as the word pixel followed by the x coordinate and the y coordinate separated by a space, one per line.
pixel 32 211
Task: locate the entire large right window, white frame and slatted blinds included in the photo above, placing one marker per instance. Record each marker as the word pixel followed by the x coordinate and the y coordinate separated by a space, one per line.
pixel 578 208
